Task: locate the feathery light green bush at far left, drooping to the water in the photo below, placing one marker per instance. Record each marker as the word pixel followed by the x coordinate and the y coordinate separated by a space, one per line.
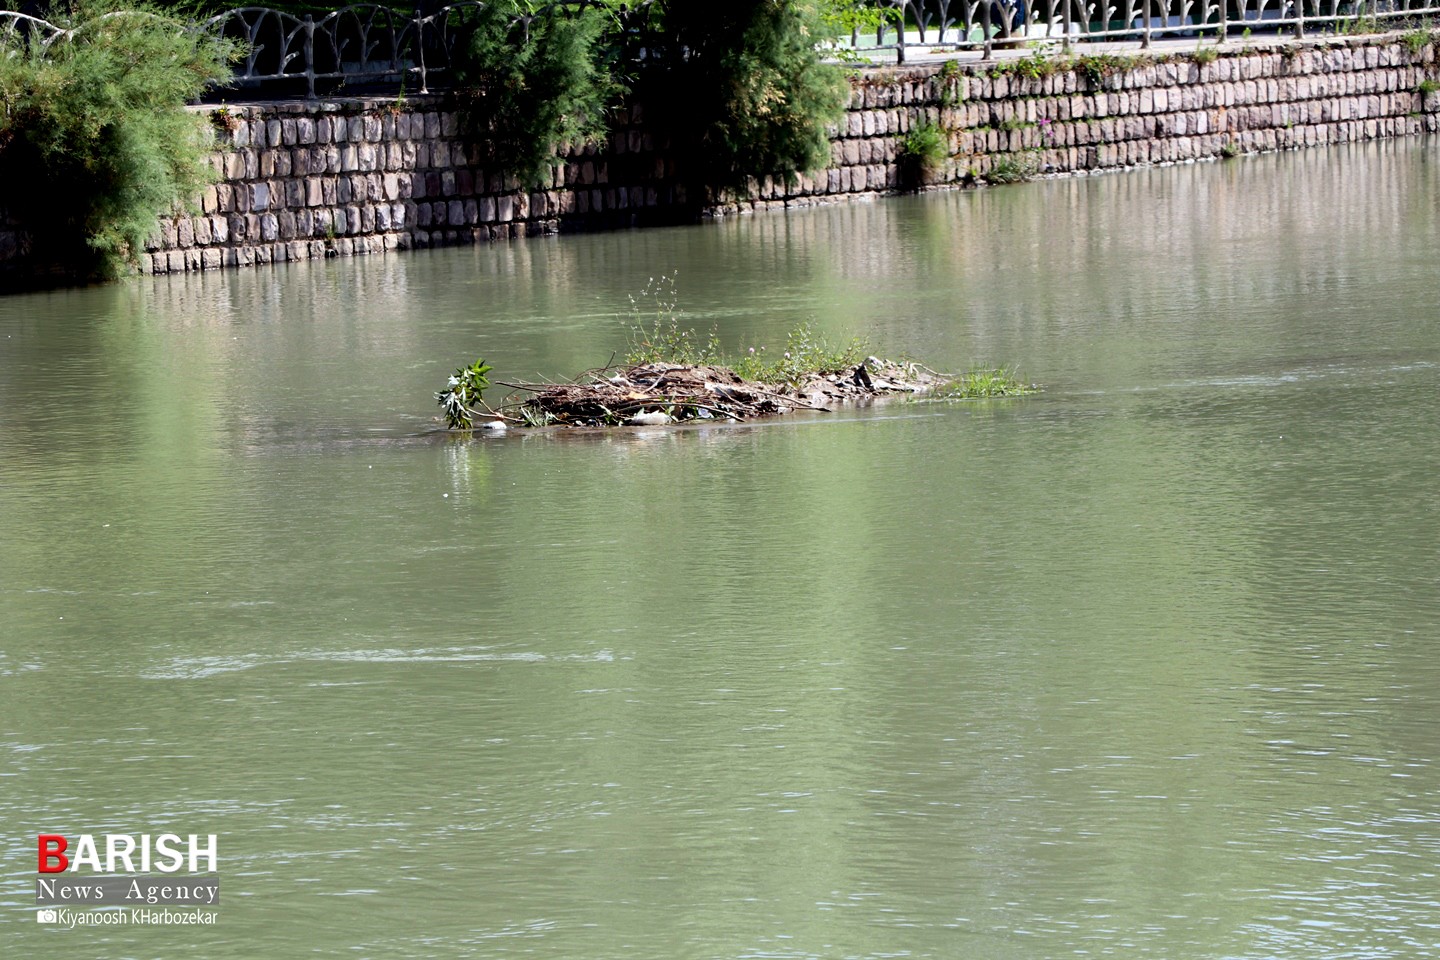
pixel 96 143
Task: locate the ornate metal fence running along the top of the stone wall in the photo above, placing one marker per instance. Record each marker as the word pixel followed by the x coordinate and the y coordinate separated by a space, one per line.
pixel 371 44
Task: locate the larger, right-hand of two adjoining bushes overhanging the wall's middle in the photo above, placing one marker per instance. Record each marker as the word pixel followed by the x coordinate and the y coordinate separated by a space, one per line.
pixel 741 89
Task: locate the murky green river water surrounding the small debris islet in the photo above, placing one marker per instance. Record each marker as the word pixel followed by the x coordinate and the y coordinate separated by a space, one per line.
pixel 1138 667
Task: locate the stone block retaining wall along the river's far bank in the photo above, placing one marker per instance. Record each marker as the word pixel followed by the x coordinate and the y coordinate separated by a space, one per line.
pixel 343 178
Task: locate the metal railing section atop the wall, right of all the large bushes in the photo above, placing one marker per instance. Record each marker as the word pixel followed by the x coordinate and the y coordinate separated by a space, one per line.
pixel 983 25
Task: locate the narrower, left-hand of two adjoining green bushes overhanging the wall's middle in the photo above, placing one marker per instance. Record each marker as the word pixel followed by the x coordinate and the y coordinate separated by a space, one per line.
pixel 531 87
